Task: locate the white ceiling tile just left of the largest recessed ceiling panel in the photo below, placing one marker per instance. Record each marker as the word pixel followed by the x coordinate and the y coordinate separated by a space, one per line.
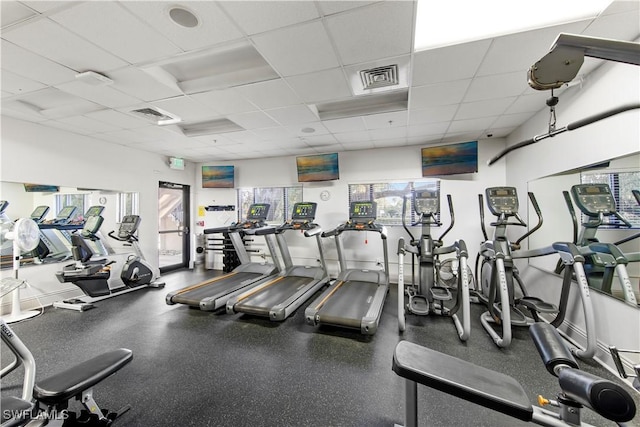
pixel 137 83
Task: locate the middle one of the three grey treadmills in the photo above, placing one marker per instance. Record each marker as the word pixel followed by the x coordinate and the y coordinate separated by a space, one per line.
pixel 278 296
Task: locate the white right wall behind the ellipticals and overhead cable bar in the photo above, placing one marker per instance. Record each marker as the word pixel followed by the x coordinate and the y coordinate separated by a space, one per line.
pixel 609 86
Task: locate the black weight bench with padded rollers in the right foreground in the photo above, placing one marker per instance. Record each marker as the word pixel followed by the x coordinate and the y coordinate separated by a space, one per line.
pixel 504 394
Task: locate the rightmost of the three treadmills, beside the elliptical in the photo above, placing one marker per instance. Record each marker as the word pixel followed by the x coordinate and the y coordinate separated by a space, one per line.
pixel 355 300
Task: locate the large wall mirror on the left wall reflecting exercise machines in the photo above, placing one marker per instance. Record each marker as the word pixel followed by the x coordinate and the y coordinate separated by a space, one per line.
pixel 27 199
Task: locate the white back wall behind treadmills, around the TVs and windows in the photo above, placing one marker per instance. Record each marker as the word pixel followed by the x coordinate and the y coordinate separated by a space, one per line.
pixel 370 166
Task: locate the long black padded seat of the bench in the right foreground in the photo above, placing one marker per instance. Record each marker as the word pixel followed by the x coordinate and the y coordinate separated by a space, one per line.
pixel 462 379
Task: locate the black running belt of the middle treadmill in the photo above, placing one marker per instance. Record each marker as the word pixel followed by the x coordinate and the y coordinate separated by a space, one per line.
pixel 264 300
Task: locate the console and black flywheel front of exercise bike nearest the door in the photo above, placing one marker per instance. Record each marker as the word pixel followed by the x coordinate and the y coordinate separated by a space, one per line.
pixel 136 270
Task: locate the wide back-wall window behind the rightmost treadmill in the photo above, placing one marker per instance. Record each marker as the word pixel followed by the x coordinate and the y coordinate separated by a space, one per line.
pixel 389 197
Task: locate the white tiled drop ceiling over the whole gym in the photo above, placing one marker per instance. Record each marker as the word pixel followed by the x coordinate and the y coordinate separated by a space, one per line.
pixel 259 79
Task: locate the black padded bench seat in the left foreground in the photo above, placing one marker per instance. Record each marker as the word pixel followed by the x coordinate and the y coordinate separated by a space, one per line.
pixel 61 387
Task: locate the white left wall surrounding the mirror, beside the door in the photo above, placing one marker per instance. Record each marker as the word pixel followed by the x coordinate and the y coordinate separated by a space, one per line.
pixel 37 154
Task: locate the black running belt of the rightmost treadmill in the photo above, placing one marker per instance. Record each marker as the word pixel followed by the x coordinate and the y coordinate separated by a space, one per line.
pixel 348 305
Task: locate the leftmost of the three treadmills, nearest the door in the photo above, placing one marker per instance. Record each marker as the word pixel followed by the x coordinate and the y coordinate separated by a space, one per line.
pixel 213 294
